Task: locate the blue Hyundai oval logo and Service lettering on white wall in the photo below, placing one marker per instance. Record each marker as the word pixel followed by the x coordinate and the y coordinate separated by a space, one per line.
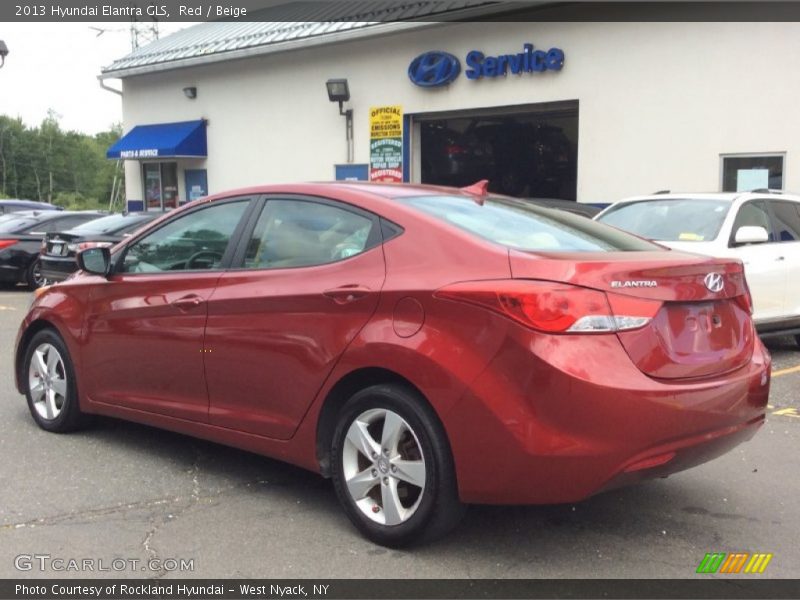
pixel 435 68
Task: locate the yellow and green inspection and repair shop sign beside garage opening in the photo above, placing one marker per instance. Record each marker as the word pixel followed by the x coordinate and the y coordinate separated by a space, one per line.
pixel 386 144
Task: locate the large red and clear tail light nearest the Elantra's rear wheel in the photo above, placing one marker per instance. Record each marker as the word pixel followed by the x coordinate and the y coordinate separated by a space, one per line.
pixel 554 307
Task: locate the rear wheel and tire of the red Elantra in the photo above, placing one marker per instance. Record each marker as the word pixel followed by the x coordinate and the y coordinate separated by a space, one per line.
pixel 408 494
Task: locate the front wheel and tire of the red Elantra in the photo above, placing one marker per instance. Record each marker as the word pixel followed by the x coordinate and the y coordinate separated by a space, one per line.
pixel 50 385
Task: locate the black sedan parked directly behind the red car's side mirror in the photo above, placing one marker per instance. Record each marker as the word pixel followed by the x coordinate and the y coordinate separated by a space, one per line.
pixel 59 248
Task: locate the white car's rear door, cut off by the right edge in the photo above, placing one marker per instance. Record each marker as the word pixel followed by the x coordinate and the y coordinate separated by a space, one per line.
pixel 786 222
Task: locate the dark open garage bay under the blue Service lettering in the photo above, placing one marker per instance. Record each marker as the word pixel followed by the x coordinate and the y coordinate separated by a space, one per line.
pixel 530 152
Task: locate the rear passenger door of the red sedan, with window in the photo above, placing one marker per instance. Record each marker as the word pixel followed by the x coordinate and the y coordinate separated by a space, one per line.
pixel 310 275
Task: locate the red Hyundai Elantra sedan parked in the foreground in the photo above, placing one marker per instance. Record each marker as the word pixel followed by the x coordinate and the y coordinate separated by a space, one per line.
pixel 424 347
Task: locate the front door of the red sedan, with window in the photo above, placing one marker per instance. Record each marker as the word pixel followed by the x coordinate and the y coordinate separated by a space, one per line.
pixel 144 328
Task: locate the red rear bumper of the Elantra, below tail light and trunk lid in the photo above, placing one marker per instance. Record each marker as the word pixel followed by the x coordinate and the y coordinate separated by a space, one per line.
pixel 585 420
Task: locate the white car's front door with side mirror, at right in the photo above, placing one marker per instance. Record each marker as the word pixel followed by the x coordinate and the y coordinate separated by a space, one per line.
pixel 764 265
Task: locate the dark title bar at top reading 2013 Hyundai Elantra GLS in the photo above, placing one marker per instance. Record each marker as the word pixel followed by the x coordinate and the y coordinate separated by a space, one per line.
pixel 391 11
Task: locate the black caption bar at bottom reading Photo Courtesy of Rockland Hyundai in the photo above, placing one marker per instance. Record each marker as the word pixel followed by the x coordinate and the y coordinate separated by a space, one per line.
pixel 379 589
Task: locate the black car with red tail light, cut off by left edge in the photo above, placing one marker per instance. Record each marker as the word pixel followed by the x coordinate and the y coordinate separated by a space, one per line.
pixel 21 237
